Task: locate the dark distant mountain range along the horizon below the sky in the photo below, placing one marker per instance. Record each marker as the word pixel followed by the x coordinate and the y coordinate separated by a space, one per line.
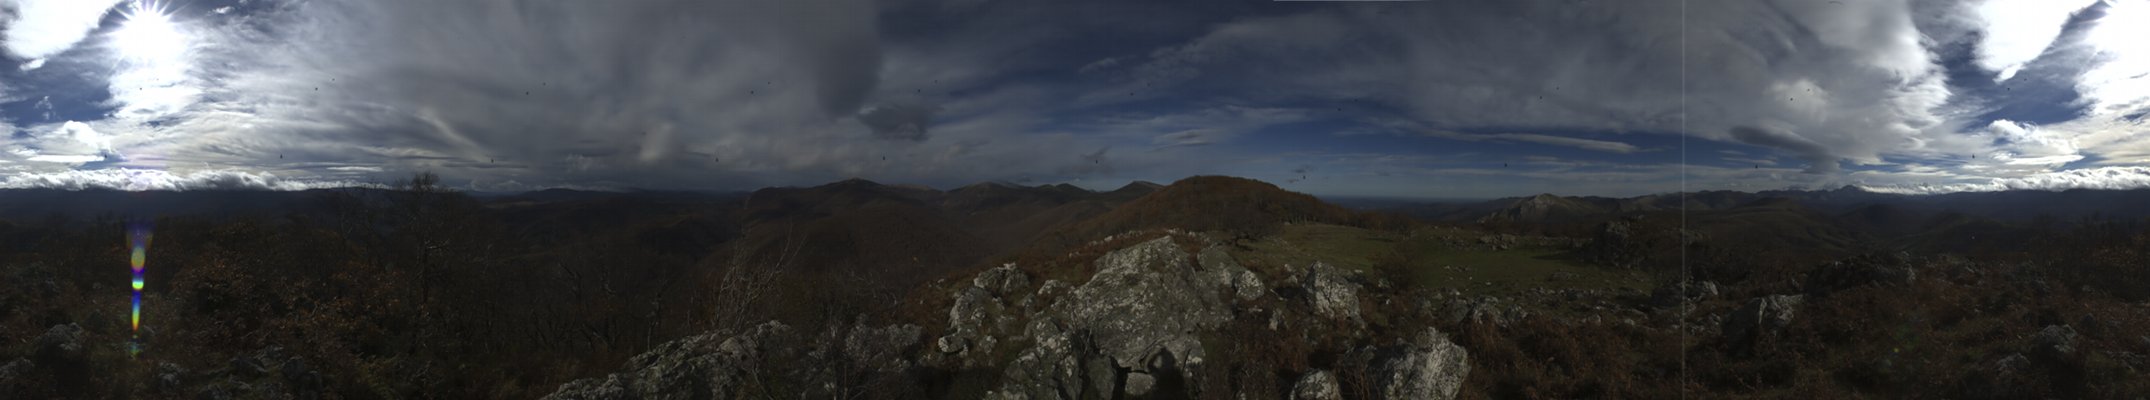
pixel 966 225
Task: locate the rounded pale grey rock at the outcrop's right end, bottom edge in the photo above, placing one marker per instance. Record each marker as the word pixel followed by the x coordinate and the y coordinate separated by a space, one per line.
pixel 1431 367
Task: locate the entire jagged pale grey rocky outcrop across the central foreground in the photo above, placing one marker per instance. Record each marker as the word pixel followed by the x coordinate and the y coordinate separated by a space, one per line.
pixel 1132 330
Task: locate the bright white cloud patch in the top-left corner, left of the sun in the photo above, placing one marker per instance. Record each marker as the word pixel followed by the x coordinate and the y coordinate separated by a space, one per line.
pixel 40 29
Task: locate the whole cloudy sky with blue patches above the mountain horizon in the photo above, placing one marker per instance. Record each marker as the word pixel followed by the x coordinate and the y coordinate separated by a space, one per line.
pixel 1399 100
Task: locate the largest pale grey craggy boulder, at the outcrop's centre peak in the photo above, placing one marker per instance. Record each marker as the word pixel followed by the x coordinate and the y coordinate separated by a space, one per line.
pixel 1134 330
